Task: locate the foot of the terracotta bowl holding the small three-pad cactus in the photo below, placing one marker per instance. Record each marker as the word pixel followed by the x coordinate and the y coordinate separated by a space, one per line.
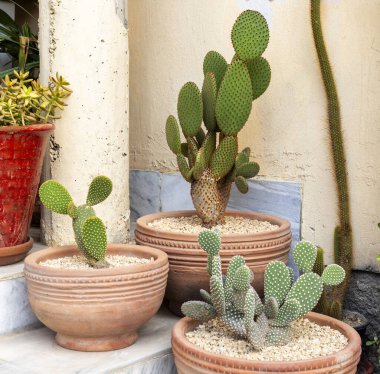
pixel 96 344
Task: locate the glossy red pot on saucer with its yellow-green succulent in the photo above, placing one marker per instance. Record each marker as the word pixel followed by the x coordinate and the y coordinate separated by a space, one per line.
pixel 27 109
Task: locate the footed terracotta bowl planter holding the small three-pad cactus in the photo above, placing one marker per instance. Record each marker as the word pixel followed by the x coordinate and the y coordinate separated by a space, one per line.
pixel 96 309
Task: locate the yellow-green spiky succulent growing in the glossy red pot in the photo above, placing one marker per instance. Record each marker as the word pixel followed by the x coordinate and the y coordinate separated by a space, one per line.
pixel 24 101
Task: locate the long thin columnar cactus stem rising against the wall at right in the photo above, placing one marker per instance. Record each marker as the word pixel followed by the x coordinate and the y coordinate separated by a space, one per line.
pixel 343 233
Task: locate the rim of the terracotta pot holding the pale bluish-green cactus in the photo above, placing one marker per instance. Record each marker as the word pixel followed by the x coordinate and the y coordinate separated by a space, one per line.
pixel 354 340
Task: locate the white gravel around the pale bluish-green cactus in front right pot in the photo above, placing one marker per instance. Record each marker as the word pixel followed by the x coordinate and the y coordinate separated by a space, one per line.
pixel 308 340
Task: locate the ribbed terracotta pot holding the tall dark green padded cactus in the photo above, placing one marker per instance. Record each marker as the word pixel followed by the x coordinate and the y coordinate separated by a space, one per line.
pixel 188 274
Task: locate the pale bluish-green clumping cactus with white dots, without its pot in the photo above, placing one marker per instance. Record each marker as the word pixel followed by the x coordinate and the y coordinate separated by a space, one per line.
pixel 237 304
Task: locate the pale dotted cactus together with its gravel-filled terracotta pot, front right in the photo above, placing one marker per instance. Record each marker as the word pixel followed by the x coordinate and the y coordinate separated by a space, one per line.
pixel 233 329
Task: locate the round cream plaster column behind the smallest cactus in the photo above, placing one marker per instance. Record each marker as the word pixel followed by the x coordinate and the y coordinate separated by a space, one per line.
pixel 87 42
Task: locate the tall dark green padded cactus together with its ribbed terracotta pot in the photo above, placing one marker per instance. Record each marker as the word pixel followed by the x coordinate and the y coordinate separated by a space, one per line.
pixel 212 163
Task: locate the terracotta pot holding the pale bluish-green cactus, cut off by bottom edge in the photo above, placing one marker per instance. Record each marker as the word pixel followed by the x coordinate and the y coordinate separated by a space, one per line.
pixel 190 359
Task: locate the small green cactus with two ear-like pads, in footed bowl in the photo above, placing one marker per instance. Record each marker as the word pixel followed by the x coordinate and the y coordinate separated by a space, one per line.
pixel 89 230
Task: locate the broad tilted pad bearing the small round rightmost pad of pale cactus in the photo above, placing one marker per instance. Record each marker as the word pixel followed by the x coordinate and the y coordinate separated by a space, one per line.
pixel 307 291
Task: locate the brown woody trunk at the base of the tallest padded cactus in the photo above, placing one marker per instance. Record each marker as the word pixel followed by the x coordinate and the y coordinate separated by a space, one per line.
pixel 210 198
